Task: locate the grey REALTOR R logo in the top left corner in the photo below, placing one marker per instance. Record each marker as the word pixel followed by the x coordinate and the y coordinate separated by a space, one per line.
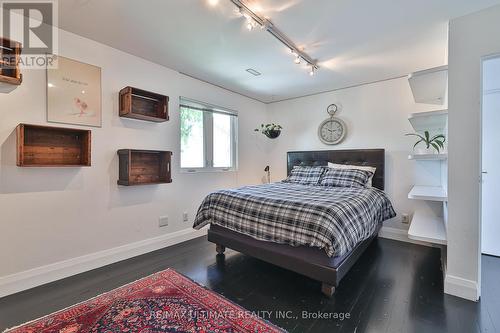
pixel 33 24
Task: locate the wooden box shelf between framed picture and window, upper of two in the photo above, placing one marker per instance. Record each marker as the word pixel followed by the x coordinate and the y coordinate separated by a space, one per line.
pixel 143 105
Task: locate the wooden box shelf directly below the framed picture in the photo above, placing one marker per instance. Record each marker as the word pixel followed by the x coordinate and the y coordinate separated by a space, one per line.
pixel 43 146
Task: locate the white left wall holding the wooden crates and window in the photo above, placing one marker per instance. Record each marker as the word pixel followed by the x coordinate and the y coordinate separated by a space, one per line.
pixel 50 215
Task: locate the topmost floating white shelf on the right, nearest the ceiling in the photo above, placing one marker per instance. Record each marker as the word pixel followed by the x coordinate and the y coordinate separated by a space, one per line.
pixel 429 86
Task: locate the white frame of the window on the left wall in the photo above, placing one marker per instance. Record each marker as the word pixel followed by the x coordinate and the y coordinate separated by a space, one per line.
pixel 208 112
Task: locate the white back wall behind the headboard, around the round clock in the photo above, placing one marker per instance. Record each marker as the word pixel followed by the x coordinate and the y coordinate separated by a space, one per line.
pixel 377 117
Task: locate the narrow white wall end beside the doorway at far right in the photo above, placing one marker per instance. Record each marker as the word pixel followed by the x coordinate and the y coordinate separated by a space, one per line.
pixel 471 38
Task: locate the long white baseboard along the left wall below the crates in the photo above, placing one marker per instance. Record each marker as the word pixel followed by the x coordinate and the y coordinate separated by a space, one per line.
pixel 17 282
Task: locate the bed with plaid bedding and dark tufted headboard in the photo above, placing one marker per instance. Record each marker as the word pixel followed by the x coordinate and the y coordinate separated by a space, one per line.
pixel 317 222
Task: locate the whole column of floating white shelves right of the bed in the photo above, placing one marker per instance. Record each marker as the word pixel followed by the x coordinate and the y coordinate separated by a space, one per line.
pixel 430 87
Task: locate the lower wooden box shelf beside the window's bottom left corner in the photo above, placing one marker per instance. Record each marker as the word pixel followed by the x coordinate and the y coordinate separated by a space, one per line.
pixel 143 167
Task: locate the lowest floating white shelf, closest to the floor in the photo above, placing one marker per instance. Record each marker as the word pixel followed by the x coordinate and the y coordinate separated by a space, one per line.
pixel 427 228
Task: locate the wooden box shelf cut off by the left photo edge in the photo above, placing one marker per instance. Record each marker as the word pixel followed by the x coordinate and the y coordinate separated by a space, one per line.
pixel 10 74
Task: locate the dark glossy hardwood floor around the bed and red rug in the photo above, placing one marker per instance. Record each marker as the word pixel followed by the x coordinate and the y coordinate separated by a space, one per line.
pixel 394 287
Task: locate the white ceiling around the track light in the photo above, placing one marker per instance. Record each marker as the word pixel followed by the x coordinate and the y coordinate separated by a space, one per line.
pixel 354 41
